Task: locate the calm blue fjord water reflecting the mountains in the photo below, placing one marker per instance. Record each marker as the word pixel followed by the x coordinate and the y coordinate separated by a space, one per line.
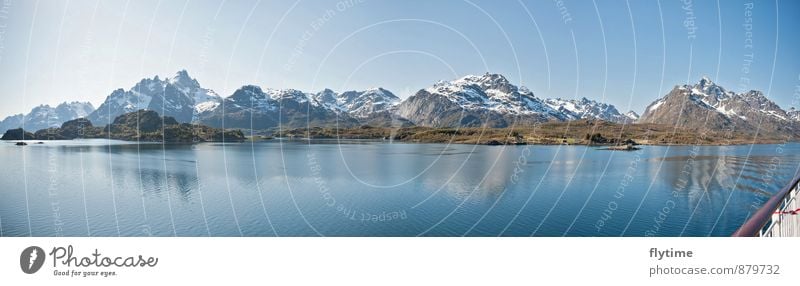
pixel 368 188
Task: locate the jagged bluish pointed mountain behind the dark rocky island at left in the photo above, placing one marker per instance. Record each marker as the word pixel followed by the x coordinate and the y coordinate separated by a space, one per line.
pixel 180 97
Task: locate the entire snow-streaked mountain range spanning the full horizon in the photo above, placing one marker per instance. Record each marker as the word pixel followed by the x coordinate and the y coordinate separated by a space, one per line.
pixel 472 101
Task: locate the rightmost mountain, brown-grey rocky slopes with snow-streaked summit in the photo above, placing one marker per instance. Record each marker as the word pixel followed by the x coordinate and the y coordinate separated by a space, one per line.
pixel 708 105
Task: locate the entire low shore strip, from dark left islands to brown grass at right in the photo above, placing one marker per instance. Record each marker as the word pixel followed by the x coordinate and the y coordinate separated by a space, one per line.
pixel 582 132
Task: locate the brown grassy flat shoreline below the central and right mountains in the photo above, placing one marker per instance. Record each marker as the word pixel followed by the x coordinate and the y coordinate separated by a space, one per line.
pixel 582 132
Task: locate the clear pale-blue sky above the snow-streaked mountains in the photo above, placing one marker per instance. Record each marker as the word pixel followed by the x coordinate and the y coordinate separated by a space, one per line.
pixel 627 53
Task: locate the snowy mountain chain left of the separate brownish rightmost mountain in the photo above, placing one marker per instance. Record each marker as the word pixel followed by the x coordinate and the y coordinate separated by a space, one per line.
pixel 469 101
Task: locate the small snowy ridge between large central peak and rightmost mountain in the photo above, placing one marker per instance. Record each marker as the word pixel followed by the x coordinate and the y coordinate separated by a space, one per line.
pixel 584 108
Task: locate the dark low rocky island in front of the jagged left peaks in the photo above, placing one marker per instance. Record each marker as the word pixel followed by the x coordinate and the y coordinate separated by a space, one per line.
pixel 142 125
